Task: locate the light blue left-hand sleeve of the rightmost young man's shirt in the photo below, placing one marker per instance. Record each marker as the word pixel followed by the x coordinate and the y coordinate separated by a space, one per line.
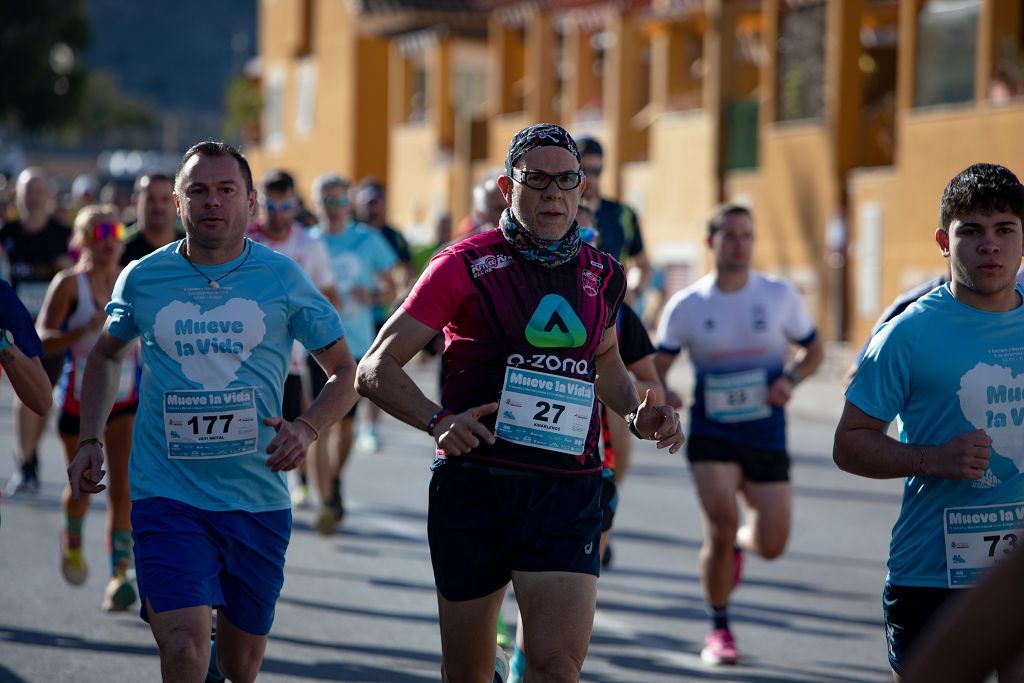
pixel 881 387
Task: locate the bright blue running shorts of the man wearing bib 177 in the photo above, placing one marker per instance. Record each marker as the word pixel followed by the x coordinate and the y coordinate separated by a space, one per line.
pixel 233 561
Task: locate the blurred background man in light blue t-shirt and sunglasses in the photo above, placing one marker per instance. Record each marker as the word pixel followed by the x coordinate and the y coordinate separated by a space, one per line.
pixel 363 264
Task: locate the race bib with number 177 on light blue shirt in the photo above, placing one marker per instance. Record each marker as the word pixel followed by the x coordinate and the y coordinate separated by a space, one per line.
pixel 210 423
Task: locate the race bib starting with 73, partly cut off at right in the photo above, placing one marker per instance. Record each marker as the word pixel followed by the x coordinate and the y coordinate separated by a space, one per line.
pixel 979 537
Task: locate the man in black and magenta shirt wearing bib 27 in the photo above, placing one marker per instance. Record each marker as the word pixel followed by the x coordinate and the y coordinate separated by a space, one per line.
pixel 529 317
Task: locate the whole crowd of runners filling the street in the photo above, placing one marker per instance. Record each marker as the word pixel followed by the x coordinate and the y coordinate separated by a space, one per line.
pixel 206 363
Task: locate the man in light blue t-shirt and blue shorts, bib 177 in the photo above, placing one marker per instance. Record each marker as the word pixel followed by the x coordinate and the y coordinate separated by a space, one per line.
pixel 218 316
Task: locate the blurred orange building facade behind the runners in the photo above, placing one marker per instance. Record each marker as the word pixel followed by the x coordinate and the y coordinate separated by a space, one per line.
pixel 838 121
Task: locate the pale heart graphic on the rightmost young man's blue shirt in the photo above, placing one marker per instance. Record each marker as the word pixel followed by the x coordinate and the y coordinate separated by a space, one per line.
pixel 992 399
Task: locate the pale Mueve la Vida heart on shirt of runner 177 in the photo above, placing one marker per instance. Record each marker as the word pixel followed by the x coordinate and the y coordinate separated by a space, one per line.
pixel 210 346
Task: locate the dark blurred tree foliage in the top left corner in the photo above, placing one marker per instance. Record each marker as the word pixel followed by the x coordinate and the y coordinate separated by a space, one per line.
pixel 42 44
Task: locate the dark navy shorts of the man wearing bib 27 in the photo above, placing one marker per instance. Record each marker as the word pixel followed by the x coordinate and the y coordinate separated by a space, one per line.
pixel 483 526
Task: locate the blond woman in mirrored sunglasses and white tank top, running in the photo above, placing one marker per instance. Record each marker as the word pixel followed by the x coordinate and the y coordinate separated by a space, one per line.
pixel 70 324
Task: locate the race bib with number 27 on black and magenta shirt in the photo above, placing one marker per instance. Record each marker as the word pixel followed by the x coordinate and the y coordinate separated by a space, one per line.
pixel 545 411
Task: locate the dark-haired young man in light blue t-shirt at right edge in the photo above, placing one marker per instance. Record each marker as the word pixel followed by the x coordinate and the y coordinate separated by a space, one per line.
pixel 949 371
